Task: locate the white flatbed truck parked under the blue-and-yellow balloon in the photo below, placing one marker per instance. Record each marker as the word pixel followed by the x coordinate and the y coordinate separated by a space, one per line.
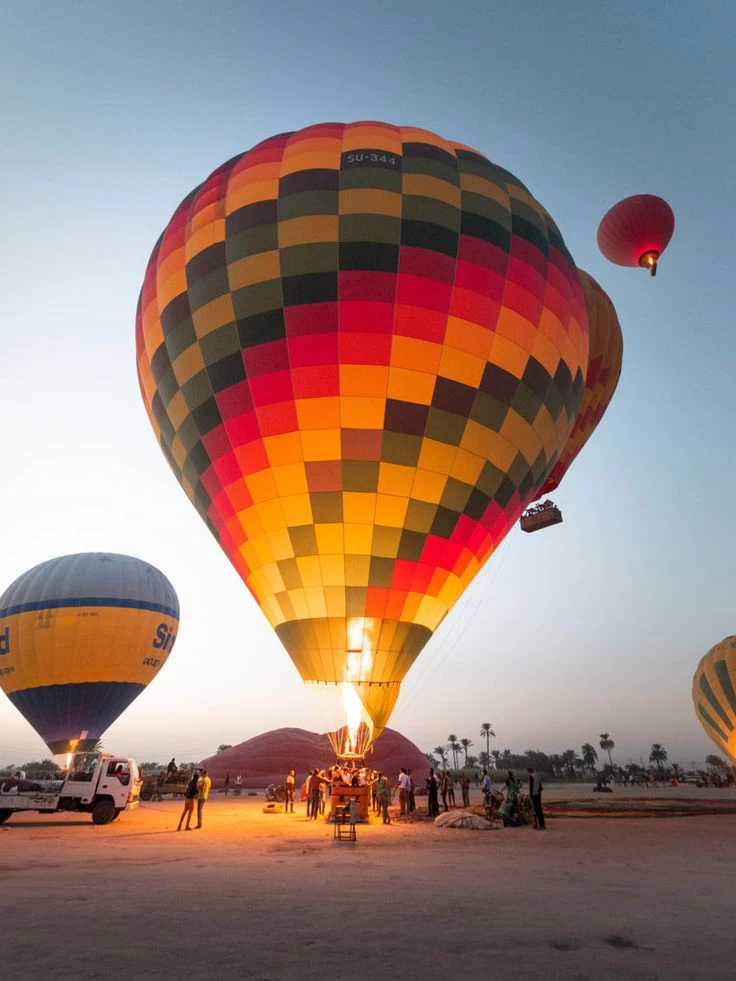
pixel 97 784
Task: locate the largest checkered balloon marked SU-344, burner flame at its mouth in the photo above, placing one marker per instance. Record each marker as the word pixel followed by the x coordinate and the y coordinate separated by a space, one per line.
pixel 362 349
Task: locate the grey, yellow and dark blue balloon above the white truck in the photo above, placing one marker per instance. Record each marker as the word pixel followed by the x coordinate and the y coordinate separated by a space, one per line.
pixel 80 637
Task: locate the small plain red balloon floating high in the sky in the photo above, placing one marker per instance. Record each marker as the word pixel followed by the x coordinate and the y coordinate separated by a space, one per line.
pixel 636 231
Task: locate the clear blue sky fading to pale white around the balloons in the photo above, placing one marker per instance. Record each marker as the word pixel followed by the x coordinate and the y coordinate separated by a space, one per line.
pixel 112 113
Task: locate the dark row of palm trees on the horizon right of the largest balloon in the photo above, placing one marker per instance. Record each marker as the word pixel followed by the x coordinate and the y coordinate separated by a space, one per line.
pixel 569 763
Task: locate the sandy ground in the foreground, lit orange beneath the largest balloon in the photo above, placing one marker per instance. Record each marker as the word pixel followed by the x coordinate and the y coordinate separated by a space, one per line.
pixel 274 898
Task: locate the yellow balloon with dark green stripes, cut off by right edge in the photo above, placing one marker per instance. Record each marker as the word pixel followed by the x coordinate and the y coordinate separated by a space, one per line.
pixel 714 695
